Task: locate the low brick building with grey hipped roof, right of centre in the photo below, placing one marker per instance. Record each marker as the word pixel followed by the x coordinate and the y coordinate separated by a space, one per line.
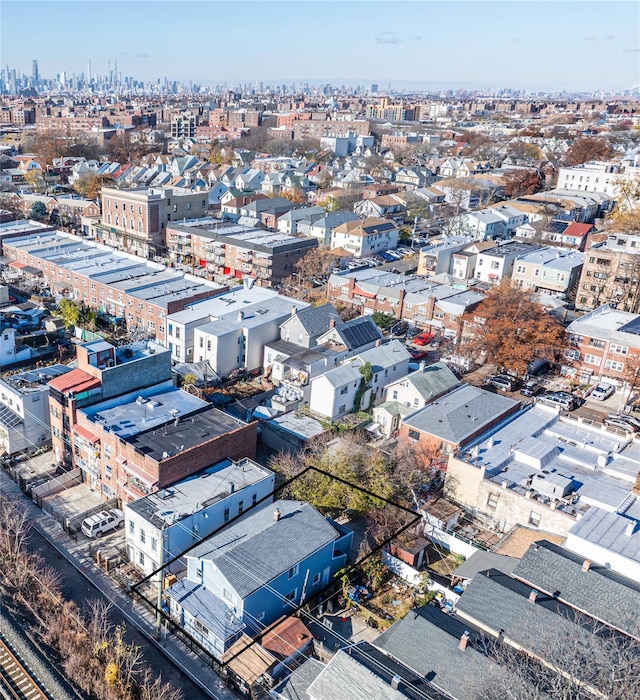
pixel 457 418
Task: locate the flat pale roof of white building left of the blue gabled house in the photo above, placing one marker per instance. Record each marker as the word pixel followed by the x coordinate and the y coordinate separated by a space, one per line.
pixel 199 491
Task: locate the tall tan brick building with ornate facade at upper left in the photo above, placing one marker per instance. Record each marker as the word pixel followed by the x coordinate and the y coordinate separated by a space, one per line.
pixel 135 220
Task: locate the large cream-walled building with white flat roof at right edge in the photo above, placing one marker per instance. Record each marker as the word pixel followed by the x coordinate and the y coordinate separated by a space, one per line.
pixel 543 470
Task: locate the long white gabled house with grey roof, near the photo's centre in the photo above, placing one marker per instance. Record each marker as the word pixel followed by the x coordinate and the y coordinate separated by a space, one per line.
pixel 344 389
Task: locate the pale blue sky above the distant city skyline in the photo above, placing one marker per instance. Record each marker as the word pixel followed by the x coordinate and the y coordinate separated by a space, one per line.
pixel 531 44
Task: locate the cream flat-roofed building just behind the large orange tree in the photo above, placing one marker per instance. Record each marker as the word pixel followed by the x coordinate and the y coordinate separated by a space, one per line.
pixel 552 271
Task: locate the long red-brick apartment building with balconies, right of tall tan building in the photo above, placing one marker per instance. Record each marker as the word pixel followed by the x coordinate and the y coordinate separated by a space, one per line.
pixel 226 250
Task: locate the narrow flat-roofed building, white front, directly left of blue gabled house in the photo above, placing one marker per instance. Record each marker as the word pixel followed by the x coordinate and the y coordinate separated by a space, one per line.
pixel 160 526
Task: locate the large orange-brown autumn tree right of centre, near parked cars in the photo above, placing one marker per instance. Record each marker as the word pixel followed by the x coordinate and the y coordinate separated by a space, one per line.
pixel 509 329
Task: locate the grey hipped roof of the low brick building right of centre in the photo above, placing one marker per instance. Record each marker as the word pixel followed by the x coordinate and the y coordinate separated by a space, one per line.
pixel 461 413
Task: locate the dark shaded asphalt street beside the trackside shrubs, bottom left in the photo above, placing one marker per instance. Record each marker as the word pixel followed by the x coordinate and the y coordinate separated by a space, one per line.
pixel 76 587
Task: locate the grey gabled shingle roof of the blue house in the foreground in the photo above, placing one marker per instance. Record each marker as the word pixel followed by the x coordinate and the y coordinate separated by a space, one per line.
pixel 256 549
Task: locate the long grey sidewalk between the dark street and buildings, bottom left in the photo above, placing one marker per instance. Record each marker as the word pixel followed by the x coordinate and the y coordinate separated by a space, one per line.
pixel 139 615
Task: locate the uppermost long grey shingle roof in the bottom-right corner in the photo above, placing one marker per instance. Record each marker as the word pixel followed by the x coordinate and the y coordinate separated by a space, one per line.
pixel 608 596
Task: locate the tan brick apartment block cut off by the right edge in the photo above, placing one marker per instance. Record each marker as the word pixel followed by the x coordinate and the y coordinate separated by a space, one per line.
pixel 610 272
